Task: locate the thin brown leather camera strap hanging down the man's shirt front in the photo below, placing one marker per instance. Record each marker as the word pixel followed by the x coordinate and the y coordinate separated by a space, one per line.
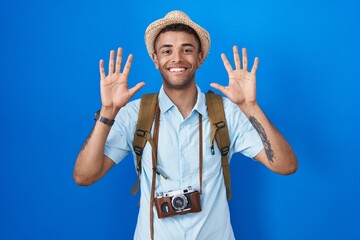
pixel 154 163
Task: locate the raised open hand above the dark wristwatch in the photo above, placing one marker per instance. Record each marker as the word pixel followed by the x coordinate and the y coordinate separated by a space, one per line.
pixel 115 92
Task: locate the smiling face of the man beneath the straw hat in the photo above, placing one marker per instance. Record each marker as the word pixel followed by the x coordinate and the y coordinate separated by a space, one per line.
pixel 177 58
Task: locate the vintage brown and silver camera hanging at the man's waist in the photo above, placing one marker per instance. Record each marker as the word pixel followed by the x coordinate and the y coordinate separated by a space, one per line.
pixel 177 202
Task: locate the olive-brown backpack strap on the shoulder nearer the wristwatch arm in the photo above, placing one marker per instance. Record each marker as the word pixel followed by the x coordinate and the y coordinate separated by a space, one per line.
pixel 143 130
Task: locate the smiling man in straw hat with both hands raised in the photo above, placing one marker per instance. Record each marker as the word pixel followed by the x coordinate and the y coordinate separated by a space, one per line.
pixel 178 47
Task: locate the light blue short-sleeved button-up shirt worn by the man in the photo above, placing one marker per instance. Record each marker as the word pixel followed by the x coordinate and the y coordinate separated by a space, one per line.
pixel 178 159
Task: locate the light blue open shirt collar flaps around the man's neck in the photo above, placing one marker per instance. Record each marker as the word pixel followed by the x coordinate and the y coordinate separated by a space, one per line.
pixel 166 104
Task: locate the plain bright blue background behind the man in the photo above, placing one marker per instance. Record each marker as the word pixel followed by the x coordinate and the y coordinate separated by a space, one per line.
pixel 308 85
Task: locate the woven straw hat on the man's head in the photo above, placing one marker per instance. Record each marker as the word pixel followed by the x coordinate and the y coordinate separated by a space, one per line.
pixel 175 17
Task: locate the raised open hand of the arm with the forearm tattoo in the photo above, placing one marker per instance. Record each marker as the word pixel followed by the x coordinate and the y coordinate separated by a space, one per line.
pixel 242 83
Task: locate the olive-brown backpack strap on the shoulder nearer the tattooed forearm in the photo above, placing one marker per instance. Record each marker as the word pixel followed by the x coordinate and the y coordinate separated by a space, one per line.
pixel 219 131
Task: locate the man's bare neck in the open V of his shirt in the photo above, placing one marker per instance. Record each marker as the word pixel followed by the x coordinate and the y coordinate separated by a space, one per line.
pixel 184 99
